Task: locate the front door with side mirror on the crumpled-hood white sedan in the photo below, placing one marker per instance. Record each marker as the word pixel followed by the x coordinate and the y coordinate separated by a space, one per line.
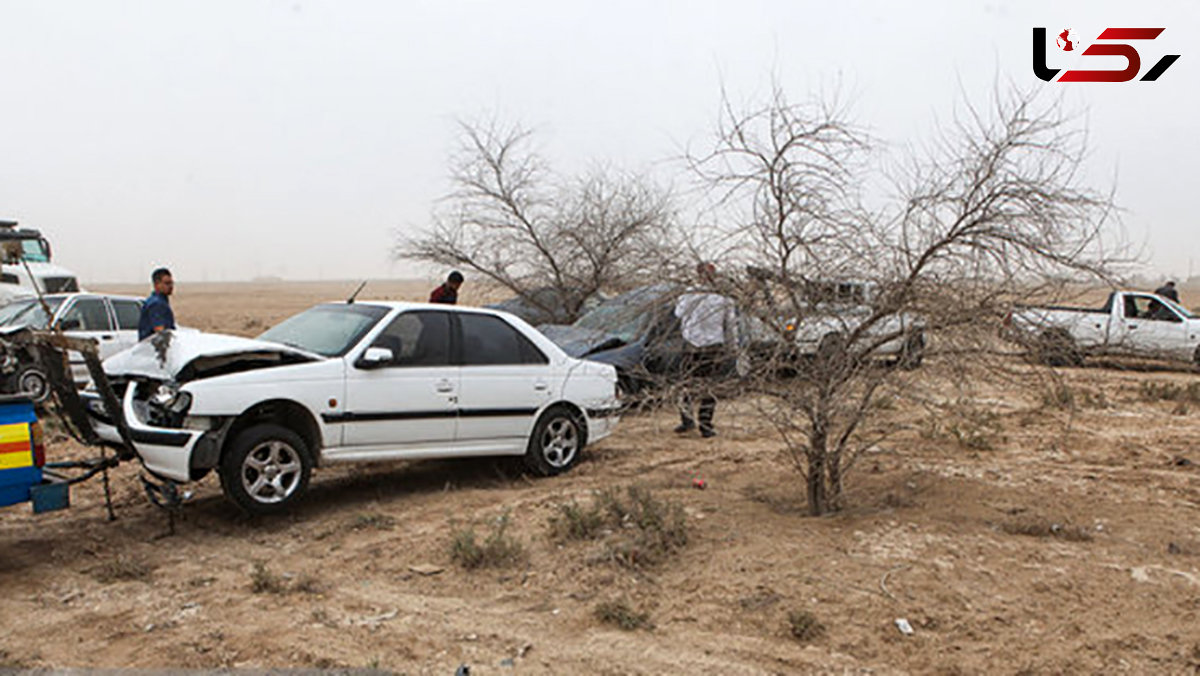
pixel 411 402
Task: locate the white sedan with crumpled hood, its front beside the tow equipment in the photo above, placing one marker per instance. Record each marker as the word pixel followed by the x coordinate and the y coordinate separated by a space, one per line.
pixel 353 382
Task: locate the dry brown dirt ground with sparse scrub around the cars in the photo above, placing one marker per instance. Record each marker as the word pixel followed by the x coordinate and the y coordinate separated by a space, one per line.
pixel 1028 535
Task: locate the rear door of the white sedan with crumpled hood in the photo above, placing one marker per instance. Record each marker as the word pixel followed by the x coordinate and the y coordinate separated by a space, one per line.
pixel 506 380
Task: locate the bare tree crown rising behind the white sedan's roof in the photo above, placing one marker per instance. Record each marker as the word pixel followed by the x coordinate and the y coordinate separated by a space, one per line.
pixel 514 222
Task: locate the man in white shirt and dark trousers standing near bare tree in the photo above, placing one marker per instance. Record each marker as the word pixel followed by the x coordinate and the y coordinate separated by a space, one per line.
pixel 710 327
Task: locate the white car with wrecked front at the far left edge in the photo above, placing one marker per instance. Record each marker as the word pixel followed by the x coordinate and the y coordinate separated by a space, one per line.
pixel 112 321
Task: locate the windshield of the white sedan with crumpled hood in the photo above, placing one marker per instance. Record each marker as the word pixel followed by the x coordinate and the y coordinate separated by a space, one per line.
pixel 327 330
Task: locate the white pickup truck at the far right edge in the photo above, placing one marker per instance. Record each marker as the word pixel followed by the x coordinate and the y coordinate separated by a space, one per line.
pixel 1132 324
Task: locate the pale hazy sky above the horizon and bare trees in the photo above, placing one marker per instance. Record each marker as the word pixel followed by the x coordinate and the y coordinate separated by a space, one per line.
pixel 241 139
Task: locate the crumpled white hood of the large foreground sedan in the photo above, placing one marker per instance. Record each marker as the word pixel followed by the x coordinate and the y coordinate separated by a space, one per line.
pixel 167 355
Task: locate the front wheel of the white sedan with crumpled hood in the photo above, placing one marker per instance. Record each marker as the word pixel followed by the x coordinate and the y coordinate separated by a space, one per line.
pixel 266 469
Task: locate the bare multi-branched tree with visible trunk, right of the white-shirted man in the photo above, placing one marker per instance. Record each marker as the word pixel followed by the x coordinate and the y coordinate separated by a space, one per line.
pixel 849 300
